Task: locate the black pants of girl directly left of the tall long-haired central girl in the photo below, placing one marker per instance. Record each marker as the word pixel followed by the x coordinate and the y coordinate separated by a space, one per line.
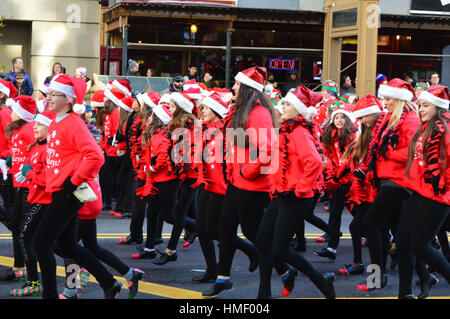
pixel 207 228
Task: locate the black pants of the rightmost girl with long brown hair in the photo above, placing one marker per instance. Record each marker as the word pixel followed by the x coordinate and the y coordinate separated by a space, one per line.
pixel 419 224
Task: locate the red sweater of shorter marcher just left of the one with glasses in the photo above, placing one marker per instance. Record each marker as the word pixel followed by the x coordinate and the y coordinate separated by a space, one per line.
pixel 37 176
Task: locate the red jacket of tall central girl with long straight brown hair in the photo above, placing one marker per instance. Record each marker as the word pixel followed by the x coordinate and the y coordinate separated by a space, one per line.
pixel 251 173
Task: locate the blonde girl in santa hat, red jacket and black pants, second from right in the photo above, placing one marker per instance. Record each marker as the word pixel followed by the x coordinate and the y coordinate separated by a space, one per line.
pixel 388 152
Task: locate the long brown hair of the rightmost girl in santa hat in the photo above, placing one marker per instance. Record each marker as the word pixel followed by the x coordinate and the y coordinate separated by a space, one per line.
pixel 427 132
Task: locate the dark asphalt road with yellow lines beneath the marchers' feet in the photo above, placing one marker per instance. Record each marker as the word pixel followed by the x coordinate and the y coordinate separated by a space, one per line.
pixel 173 280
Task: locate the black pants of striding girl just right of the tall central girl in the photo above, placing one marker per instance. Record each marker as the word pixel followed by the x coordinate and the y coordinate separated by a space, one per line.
pixel 277 228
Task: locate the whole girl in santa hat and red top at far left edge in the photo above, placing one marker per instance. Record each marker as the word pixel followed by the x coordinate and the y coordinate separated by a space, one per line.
pixel 20 131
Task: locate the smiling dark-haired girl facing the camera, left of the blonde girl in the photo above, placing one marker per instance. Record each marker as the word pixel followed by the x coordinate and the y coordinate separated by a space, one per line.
pixel 336 138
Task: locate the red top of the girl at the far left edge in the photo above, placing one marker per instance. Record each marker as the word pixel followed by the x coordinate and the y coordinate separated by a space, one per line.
pixel 20 140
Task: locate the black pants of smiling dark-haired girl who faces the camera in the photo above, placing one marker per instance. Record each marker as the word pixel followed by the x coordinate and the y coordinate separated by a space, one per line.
pixel 337 205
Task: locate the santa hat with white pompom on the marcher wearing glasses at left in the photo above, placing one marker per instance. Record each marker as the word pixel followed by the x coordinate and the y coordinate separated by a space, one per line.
pixel 73 87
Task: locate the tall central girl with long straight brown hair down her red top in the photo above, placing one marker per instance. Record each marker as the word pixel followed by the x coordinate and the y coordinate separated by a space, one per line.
pixel 249 139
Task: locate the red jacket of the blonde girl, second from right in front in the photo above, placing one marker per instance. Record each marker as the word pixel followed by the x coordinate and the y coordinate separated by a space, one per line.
pixel 393 167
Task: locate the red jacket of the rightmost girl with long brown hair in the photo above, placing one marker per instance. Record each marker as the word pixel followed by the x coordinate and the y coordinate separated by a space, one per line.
pixel 429 181
